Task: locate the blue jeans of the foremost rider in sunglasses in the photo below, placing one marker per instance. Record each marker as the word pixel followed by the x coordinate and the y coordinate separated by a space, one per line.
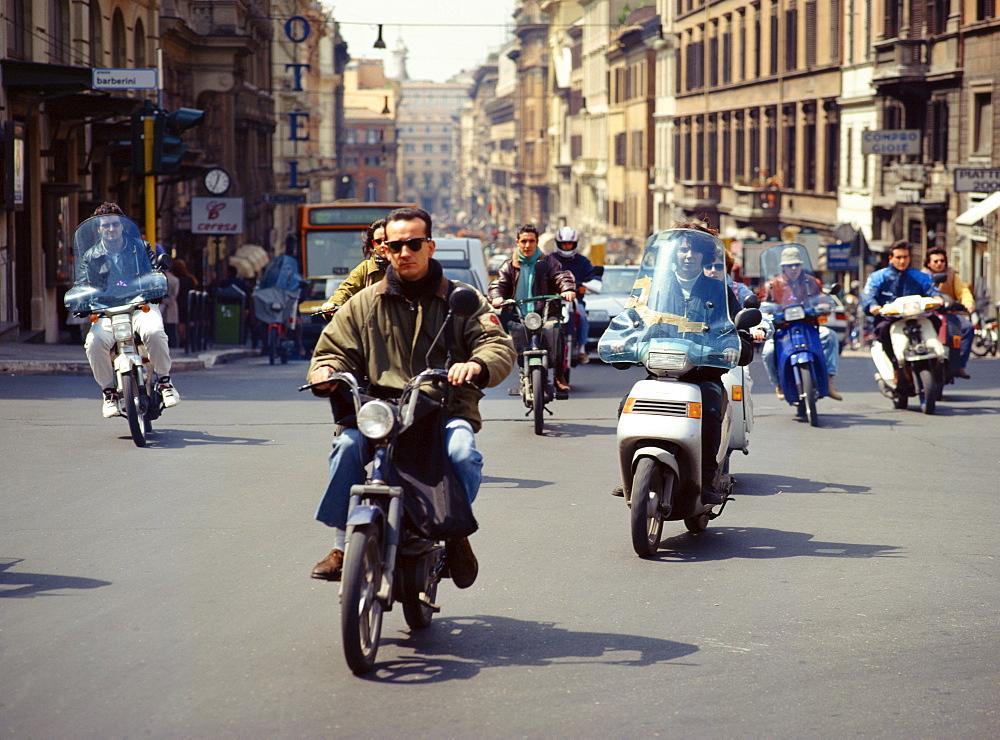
pixel 352 451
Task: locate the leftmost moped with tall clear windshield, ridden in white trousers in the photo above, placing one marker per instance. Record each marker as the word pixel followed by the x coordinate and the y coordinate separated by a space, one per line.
pixel 117 294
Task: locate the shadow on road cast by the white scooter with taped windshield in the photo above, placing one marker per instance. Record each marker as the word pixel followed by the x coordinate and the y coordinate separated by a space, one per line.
pixel 754 543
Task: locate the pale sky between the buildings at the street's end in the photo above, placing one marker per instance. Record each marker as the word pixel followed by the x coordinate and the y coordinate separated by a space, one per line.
pixel 443 37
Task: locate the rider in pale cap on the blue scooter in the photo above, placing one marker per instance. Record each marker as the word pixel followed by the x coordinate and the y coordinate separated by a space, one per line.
pixel 794 285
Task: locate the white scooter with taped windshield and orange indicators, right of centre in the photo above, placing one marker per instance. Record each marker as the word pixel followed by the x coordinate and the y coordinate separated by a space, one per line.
pixel 671 325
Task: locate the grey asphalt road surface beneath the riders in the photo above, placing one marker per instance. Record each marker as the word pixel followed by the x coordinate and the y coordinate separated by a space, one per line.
pixel 849 590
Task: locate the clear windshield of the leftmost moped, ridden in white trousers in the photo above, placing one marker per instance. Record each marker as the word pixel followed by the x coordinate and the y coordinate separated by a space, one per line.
pixel 111 266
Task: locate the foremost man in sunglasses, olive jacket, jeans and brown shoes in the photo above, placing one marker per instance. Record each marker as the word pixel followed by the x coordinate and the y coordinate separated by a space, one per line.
pixel 383 334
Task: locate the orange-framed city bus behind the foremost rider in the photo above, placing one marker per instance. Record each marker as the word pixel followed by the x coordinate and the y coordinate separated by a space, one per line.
pixel 331 234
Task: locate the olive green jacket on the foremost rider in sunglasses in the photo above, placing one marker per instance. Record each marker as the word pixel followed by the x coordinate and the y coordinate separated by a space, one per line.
pixel 383 336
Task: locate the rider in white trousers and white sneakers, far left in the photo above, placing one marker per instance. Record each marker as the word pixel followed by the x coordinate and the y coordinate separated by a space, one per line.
pixel 112 263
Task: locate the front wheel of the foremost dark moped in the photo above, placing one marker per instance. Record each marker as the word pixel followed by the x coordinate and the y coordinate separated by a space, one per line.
pixel 360 608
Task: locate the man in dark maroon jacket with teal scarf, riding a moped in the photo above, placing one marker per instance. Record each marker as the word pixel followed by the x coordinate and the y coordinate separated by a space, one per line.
pixel 541 276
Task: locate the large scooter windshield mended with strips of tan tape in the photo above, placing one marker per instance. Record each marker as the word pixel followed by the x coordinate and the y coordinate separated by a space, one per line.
pixel 675 307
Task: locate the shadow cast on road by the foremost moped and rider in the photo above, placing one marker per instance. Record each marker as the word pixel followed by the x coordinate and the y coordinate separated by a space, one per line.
pixel 458 648
